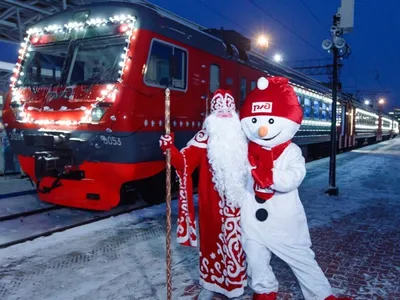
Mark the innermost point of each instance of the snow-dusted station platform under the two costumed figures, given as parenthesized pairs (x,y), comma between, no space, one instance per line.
(355,236)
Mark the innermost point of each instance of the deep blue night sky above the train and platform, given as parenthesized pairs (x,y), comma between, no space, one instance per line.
(299,28)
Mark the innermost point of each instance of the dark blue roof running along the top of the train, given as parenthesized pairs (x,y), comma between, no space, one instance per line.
(154,18)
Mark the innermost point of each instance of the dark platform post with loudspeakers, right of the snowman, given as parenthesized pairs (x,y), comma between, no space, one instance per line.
(339,48)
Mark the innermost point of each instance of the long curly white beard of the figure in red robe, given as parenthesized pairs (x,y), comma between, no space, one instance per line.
(227,150)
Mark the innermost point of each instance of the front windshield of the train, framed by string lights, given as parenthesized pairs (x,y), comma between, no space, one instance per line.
(75,62)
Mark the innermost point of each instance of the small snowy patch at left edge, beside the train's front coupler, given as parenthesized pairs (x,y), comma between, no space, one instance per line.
(14,186)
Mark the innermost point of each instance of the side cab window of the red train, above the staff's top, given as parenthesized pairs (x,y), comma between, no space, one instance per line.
(166,65)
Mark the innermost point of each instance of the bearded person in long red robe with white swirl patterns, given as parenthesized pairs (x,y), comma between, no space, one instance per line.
(220,151)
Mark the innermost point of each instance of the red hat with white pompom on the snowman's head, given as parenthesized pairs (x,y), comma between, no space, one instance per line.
(272,97)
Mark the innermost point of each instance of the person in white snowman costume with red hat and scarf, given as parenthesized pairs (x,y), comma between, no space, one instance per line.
(273,218)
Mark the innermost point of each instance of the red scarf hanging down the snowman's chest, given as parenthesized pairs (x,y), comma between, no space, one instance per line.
(263,160)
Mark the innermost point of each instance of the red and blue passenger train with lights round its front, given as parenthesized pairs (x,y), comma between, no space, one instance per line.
(86,104)
